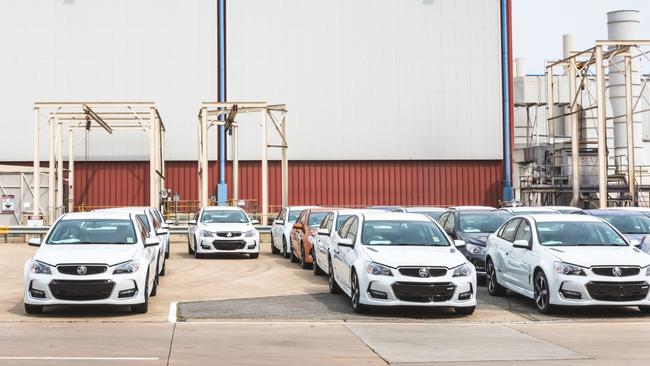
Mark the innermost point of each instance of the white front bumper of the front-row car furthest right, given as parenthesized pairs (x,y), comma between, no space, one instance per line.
(600,290)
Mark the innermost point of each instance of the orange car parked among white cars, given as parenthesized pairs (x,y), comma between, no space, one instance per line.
(304,231)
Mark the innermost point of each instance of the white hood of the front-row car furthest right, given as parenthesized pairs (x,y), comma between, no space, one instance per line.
(588,256)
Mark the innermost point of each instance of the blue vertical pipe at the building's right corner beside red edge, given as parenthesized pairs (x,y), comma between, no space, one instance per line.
(505,57)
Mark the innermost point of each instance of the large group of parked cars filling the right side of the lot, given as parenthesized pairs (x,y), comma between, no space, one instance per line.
(557,256)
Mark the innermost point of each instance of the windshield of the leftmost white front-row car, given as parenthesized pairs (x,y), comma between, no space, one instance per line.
(93,231)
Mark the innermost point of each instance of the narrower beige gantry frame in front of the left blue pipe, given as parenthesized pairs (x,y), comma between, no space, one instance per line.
(209,116)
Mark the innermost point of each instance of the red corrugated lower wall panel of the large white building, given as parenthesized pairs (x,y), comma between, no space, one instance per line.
(331,183)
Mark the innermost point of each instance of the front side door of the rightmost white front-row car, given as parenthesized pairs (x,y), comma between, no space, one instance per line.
(521,260)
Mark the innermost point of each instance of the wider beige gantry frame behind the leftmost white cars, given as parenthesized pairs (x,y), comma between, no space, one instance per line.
(108,116)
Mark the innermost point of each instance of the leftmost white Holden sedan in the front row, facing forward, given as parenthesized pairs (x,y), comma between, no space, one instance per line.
(93,258)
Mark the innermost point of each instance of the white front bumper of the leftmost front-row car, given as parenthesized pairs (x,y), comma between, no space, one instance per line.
(60,289)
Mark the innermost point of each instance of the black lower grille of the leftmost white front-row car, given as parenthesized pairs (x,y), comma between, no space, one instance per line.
(81,290)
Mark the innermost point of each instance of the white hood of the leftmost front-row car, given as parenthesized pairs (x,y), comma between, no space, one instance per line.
(110,254)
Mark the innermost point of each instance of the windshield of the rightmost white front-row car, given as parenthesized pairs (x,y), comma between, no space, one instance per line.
(578,234)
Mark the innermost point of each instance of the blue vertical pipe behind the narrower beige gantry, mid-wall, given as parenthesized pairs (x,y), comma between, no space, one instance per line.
(222,189)
